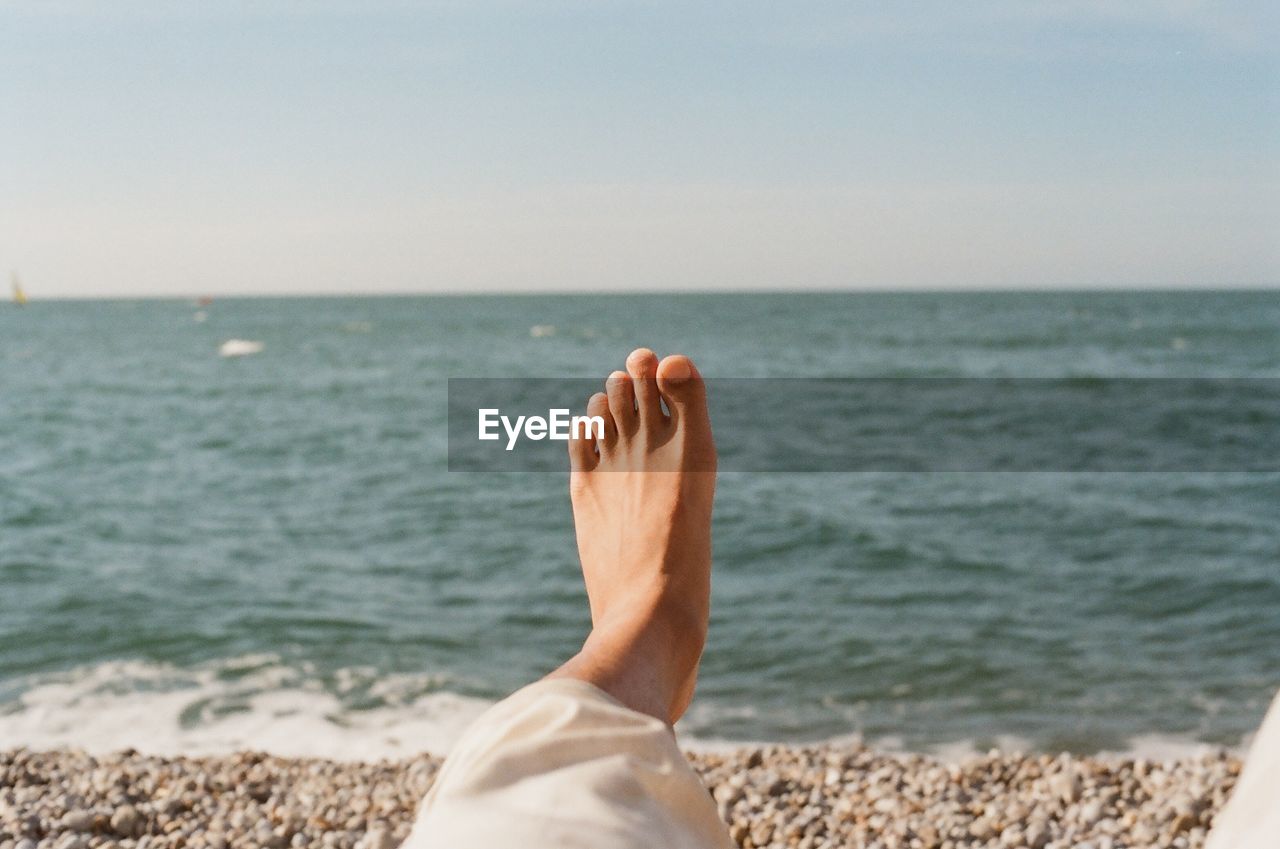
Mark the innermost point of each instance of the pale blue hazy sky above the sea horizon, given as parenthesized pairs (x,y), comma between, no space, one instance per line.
(217,148)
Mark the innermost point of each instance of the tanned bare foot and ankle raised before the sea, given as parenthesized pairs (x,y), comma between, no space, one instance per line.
(643,510)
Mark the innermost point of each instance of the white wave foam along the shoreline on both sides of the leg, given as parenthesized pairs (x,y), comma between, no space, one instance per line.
(258,702)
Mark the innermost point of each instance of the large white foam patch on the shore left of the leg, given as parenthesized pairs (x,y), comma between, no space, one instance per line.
(254,702)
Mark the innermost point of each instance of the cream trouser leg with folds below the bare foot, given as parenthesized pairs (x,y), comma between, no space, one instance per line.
(563,765)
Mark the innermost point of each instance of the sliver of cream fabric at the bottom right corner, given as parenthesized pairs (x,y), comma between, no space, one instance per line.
(1251,819)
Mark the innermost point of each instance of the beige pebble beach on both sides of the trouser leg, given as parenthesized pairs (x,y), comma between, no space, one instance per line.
(822,797)
